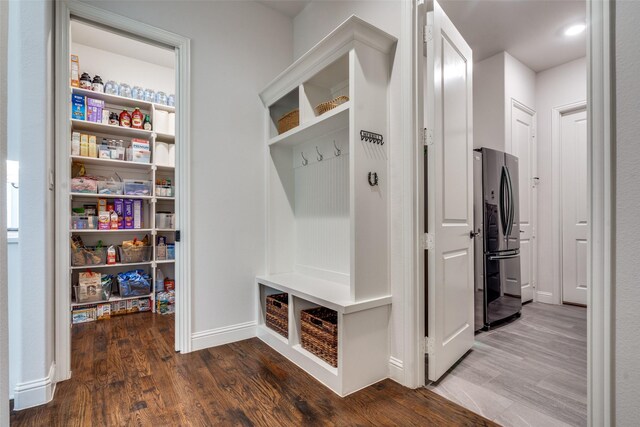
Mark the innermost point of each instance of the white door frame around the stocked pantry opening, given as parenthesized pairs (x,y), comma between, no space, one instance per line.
(64,11)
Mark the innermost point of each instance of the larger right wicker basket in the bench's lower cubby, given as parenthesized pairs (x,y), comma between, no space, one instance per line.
(320,333)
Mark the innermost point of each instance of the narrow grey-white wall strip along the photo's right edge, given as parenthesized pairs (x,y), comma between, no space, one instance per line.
(627,209)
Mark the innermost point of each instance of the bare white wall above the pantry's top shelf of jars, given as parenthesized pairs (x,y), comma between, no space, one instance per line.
(124,69)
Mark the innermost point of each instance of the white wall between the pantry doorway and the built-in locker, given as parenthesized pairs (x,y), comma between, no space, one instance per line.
(236,49)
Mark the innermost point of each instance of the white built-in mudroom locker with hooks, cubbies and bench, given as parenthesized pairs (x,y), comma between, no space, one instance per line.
(327,218)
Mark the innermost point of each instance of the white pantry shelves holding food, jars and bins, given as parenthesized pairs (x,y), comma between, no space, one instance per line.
(124,169)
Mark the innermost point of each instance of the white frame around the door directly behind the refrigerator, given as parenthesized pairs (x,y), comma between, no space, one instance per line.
(534,172)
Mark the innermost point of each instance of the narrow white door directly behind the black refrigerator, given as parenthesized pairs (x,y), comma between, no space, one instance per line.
(523,146)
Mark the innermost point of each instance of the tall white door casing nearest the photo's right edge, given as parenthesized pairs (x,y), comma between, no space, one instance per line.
(601,281)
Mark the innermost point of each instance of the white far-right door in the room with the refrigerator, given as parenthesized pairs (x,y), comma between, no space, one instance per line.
(574,207)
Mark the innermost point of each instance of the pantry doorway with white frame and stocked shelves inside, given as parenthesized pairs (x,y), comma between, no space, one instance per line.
(121,179)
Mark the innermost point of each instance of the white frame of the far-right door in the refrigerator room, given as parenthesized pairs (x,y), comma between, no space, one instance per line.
(556,192)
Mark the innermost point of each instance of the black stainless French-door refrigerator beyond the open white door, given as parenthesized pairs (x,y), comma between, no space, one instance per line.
(497,232)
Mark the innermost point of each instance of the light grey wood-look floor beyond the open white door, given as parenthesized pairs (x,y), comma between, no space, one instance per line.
(529,372)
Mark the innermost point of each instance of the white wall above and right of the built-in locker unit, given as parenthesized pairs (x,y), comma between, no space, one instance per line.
(310,26)
